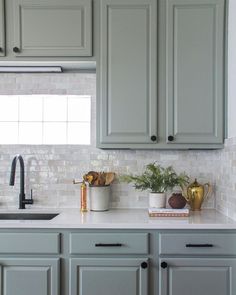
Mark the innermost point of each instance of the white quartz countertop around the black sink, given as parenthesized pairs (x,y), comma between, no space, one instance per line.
(120,219)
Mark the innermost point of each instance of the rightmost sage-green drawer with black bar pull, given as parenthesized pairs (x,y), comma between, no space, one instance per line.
(194,244)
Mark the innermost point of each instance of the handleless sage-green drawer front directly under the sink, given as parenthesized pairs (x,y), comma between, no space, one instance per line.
(30,243)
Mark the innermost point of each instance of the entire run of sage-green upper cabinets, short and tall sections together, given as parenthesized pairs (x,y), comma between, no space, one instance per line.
(160,63)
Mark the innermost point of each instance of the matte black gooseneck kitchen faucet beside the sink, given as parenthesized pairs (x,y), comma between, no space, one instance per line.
(22,200)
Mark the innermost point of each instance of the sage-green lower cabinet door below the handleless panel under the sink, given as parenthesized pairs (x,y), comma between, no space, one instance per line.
(29,276)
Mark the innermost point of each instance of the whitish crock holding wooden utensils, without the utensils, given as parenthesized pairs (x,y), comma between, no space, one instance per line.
(99,198)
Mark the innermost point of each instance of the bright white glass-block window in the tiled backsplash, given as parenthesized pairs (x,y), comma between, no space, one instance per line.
(45,119)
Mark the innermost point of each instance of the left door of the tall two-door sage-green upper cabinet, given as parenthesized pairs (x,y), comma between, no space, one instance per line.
(127,102)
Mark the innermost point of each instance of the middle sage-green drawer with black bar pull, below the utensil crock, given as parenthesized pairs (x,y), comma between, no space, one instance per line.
(109,243)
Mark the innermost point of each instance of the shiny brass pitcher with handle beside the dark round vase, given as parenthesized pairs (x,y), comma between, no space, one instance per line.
(196,193)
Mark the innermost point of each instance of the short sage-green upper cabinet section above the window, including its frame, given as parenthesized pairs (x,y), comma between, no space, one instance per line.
(47,30)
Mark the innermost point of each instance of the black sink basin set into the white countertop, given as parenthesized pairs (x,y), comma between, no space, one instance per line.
(27,216)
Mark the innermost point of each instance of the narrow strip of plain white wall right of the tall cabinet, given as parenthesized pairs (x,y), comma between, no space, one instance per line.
(232,70)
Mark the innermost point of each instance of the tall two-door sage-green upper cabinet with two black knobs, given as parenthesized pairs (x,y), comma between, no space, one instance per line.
(161,86)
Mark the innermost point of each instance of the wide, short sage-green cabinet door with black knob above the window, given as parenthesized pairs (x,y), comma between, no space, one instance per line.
(52,27)
